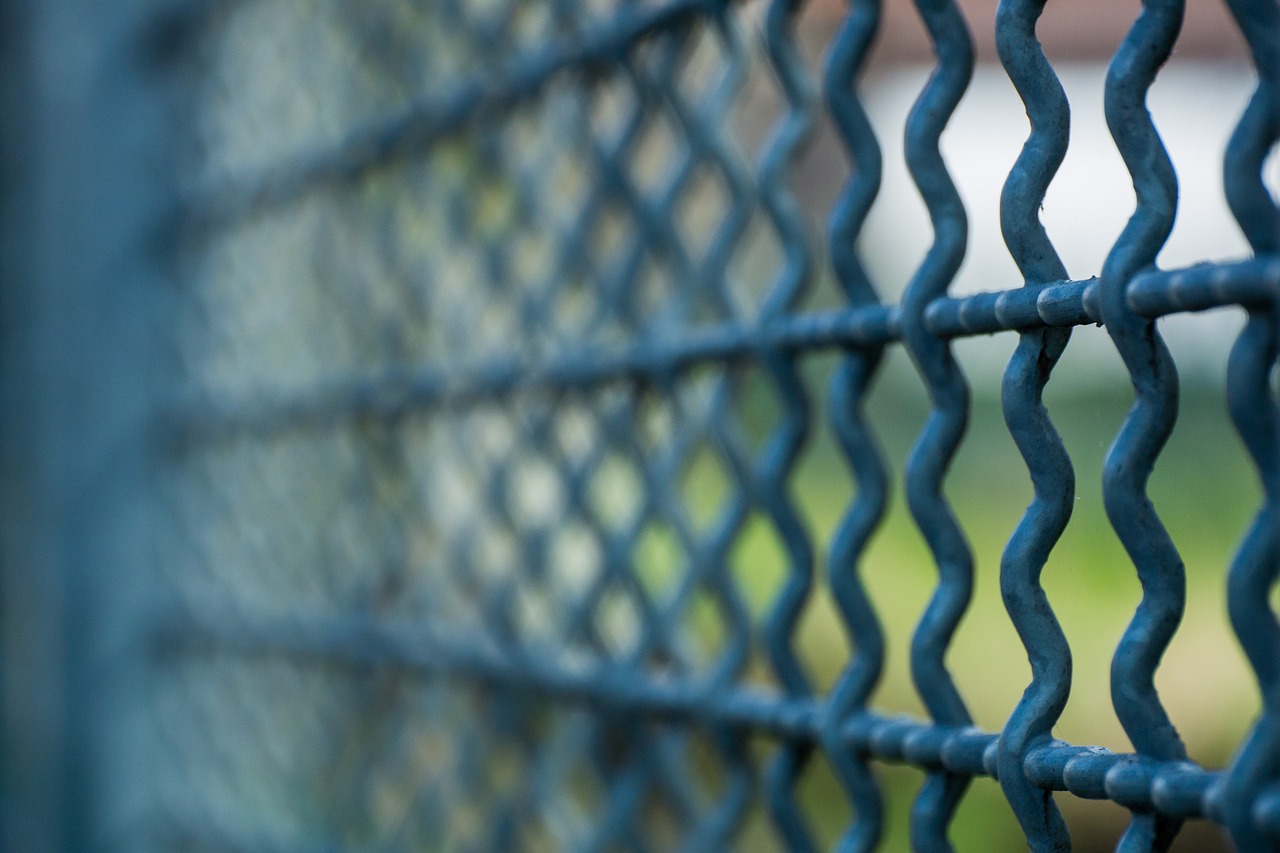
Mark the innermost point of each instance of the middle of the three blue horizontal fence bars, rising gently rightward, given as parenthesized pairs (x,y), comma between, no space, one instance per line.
(404,393)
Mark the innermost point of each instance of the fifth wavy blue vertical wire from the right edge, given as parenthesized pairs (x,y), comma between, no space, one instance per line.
(849,386)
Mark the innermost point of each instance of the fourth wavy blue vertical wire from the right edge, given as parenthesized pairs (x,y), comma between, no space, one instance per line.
(934,451)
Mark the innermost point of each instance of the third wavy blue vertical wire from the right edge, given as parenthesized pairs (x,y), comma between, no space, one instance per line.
(1054,481)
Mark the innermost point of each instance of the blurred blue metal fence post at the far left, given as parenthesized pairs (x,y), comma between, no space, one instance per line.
(85,186)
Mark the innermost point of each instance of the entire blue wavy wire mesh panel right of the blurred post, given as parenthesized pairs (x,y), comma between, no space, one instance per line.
(465,463)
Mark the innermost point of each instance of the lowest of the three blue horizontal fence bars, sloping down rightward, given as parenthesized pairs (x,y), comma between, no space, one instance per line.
(1180,790)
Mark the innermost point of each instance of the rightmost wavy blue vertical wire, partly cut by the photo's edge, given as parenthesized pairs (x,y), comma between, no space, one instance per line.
(1252,404)
